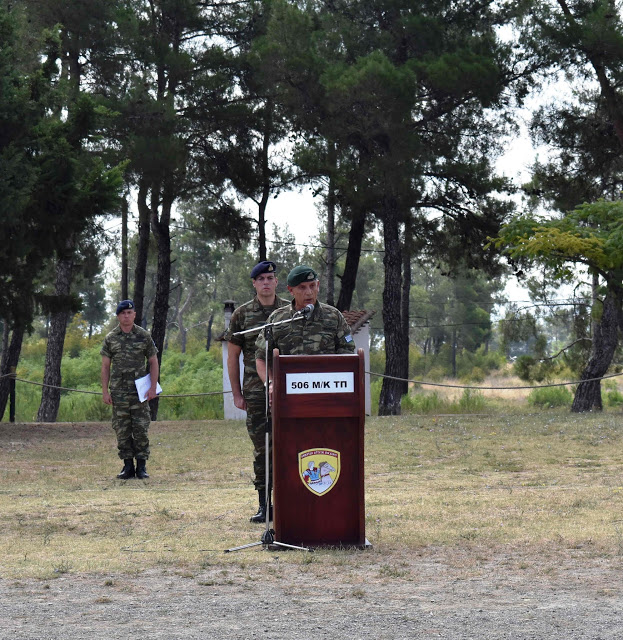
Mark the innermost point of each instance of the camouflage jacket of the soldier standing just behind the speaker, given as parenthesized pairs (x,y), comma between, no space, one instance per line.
(248,316)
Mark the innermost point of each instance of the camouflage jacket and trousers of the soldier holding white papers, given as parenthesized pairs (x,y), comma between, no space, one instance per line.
(129,353)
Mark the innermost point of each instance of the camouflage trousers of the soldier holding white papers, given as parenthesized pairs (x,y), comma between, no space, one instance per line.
(130,420)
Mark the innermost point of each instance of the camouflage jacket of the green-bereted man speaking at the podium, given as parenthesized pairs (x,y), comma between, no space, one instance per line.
(326,331)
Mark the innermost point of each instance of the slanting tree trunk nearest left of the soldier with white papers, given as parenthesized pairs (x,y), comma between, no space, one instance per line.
(51,395)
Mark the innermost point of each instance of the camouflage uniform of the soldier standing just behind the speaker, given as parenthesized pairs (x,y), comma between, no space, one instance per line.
(248,316)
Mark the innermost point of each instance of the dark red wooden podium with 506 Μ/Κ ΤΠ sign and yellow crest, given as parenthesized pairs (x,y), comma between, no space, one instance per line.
(318,431)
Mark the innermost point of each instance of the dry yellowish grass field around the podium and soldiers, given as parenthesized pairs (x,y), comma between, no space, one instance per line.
(535,481)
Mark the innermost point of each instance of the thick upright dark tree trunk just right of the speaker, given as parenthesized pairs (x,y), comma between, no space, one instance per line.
(391,391)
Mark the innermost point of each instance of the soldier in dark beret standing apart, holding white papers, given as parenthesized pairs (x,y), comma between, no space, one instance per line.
(128,347)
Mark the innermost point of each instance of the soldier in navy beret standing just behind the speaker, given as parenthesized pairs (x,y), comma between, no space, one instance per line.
(252,397)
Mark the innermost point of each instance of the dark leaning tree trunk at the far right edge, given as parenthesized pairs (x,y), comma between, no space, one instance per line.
(605,341)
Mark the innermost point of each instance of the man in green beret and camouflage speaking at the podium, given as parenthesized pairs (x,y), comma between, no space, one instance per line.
(323,331)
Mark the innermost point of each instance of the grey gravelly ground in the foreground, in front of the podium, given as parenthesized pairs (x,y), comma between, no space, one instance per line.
(378,596)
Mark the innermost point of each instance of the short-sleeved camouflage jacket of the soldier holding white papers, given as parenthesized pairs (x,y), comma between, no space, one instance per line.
(129,353)
